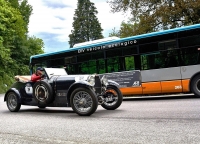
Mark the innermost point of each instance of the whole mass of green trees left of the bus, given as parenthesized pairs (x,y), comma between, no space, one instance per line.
(16,46)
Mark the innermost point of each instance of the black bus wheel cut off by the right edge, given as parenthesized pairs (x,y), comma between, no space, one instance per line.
(195,86)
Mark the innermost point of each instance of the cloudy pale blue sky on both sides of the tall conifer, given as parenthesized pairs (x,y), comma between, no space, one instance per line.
(51,21)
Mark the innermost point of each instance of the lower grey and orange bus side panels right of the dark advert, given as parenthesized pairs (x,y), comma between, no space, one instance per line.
(165,80)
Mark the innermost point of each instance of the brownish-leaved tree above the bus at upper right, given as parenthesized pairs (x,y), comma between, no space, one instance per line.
(154,15)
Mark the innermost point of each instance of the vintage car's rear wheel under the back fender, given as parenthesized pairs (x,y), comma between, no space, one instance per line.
(12,102)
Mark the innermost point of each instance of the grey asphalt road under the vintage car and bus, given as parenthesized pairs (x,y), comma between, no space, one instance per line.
(138,121)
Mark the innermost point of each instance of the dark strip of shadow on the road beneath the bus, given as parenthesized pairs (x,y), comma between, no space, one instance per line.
(163,97)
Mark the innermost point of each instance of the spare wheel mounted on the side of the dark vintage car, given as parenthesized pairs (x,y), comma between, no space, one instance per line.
(43,93)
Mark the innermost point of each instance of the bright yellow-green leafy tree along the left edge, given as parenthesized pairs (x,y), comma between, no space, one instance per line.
(11,22)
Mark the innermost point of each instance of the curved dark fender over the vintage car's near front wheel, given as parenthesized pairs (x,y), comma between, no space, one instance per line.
(77,84)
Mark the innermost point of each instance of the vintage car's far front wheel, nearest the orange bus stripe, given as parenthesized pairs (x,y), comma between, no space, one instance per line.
(115,96)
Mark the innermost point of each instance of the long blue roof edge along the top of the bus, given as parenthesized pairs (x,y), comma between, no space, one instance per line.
(137,37)
